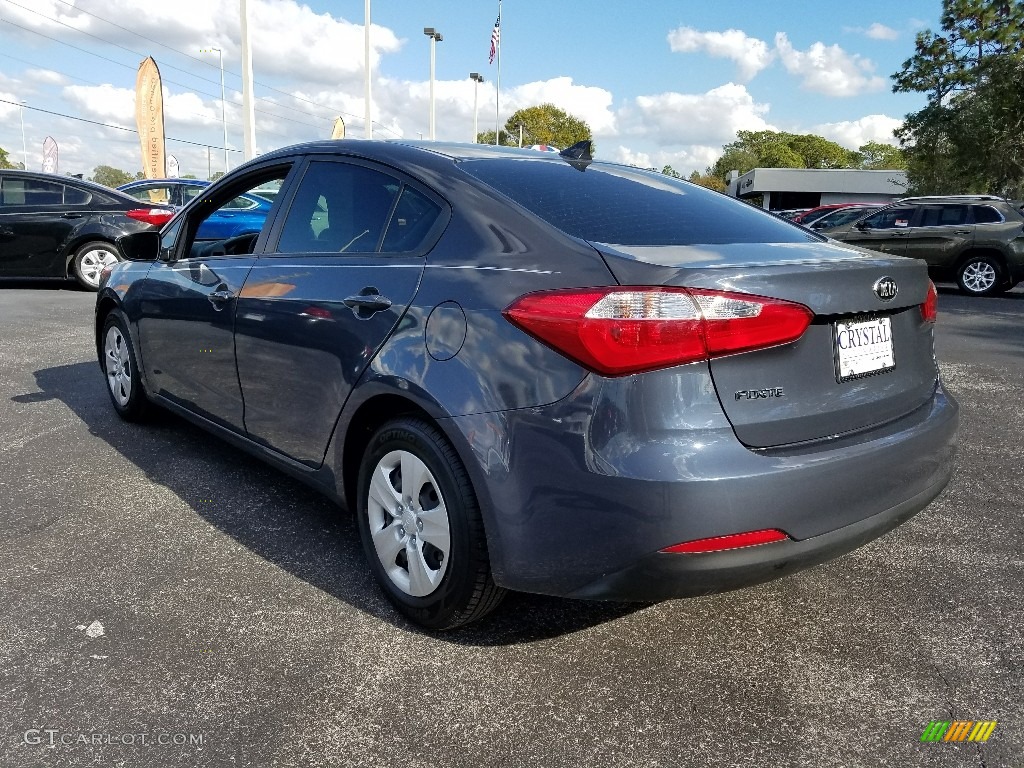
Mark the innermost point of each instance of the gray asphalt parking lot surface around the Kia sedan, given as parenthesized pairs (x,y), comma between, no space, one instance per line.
(170,602)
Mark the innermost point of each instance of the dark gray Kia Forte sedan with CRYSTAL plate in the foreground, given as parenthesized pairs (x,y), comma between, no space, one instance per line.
(537,372)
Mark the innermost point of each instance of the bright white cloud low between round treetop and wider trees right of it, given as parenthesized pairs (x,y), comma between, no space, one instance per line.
(701,119)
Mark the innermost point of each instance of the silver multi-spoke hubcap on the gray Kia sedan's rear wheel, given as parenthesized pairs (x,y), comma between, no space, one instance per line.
(409,524)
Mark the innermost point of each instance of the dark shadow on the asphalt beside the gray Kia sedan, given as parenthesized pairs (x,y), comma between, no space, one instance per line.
(282,521)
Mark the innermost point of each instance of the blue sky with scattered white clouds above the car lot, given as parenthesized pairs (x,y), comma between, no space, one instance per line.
(660,82)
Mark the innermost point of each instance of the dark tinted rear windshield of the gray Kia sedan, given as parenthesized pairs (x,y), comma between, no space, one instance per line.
(627,206)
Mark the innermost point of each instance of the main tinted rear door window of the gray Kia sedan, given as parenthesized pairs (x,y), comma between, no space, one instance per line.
(339,208)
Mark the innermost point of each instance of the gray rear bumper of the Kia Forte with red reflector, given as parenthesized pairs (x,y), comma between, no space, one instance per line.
(579,498)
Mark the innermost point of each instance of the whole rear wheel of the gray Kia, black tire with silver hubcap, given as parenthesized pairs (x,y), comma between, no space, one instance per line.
(425,547)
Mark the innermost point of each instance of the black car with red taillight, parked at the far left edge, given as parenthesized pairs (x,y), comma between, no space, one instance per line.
(61,227)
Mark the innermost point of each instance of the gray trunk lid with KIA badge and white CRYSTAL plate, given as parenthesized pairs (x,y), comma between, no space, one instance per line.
(813,389)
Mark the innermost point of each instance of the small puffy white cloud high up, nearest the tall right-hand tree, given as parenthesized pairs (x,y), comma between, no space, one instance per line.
(829,69)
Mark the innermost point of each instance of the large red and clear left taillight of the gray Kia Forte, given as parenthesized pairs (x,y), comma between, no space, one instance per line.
(617,331)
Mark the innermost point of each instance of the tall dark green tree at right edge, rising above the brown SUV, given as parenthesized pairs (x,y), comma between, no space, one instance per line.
(970,136)
